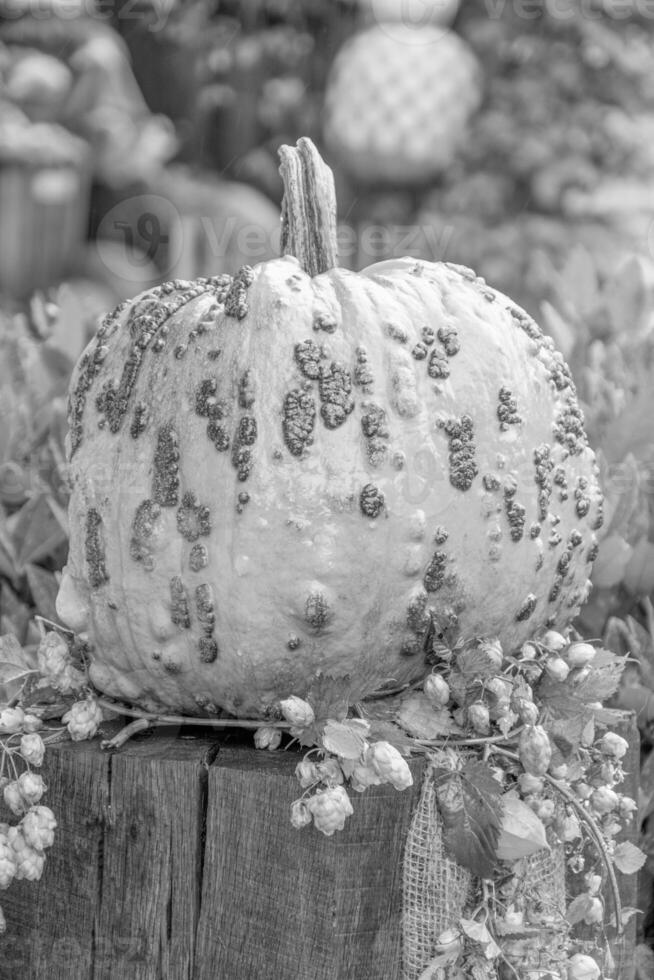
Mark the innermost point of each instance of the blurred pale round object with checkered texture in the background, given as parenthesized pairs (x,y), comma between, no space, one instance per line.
(398,103)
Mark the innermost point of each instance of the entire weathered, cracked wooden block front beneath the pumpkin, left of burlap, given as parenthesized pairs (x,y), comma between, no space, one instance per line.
(175,859)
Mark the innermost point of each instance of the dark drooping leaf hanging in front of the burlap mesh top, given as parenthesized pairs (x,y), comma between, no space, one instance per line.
(471,811)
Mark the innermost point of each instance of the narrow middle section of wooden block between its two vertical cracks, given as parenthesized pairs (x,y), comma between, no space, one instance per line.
(150,893)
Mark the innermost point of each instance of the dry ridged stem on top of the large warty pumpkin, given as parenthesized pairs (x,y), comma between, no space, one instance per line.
(308,207)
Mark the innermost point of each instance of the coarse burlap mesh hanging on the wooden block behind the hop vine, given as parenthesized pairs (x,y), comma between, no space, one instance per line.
(437,892)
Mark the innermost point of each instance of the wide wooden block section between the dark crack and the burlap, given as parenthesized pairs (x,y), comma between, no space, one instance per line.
(293,904)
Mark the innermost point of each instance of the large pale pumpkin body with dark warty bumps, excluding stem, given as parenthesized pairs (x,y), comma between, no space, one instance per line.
(305,473)
